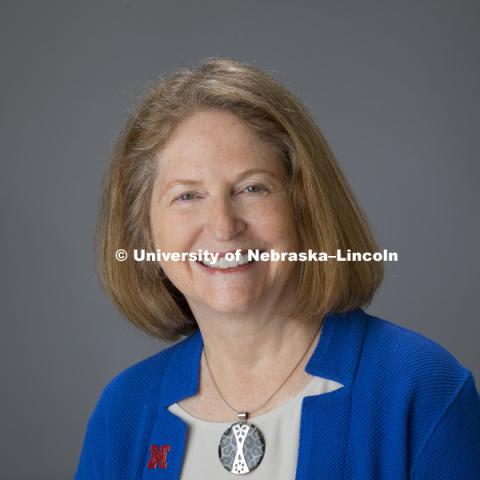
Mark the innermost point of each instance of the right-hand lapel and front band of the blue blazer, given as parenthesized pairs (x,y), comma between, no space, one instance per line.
(325,418)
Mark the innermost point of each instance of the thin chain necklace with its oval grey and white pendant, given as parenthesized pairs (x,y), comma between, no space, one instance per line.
(242,445)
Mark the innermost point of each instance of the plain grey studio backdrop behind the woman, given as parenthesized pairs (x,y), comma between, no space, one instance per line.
(393,86)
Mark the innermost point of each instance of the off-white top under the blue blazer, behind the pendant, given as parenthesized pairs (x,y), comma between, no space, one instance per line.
(280,428)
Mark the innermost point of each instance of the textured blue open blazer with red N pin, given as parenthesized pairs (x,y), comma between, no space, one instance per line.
(407,409)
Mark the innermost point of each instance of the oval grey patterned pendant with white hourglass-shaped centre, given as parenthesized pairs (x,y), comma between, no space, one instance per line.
(241,448)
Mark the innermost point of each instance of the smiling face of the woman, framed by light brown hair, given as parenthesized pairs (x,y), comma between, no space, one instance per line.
(220,188)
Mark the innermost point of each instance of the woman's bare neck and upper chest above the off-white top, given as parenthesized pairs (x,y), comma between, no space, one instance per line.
(249,364)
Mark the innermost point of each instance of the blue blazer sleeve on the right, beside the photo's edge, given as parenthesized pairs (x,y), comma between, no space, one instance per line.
(452,448)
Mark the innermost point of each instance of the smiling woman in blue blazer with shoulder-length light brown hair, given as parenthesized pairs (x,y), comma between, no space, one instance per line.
(282,375)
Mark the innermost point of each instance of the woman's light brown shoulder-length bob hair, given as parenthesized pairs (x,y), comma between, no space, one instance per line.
(327,215)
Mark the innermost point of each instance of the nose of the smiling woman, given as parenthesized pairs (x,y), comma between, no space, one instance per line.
(224,222)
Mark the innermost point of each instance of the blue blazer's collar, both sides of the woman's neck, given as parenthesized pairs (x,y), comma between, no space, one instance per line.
(335,357)
